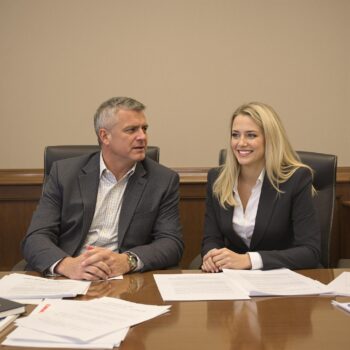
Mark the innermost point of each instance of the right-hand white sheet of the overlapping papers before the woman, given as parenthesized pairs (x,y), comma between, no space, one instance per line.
(280,282)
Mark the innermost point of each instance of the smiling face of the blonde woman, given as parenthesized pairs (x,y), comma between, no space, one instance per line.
(247,142)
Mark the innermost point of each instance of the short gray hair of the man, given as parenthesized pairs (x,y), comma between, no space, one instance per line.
(104,116)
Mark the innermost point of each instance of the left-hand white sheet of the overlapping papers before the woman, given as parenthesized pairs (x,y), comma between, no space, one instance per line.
(206,286)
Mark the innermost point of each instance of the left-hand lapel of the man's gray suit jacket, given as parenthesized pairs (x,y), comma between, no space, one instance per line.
(88,182)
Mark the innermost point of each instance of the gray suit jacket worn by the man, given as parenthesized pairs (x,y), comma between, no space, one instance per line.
(149,224)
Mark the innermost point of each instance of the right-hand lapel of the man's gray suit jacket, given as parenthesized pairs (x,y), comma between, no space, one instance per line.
(131,198)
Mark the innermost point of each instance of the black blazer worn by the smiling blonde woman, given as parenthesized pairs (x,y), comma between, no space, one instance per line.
(286,232)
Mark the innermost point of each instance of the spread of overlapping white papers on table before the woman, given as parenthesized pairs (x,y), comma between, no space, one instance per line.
(236,285)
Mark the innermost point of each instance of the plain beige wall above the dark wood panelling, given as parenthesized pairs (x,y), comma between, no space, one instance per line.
(192,62)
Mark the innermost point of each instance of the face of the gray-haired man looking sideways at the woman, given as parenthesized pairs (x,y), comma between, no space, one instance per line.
(127,138)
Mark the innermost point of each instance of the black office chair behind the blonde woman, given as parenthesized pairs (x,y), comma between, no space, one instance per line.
(324,166)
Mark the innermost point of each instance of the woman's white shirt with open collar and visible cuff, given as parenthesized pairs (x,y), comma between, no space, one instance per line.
(244,221)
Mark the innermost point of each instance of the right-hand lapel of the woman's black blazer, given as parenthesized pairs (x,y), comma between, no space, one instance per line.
(266,206)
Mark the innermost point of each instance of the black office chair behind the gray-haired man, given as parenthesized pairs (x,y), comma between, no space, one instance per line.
(54,153)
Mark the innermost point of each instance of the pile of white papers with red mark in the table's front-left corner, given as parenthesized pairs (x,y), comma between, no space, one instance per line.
(99,323)
